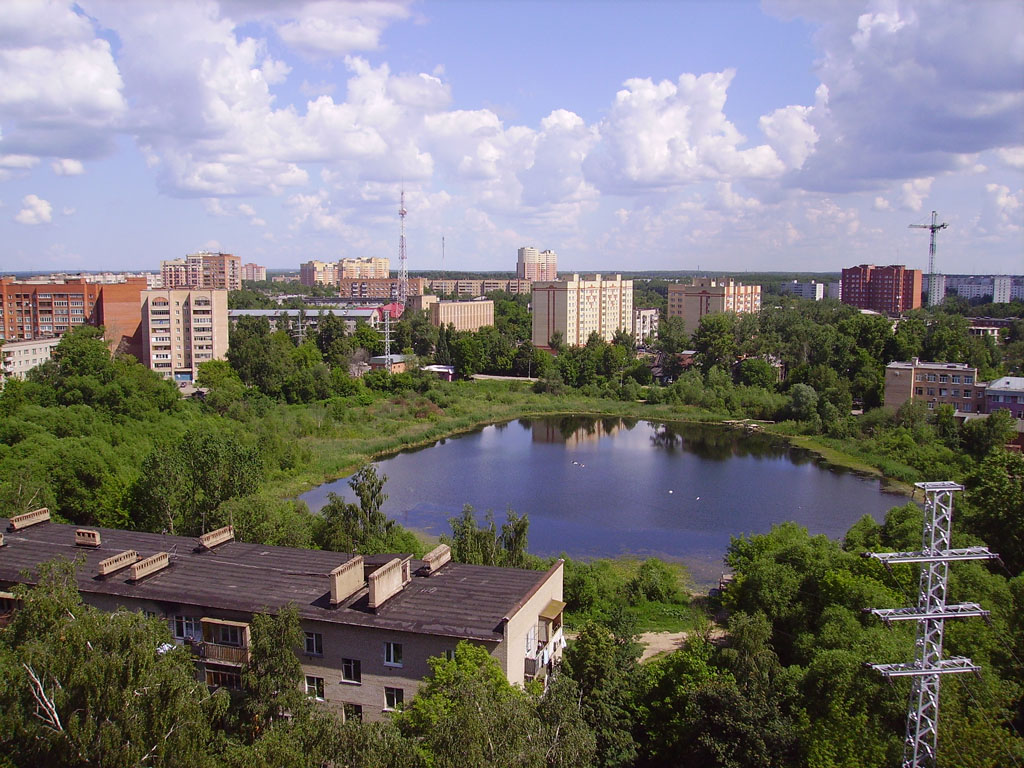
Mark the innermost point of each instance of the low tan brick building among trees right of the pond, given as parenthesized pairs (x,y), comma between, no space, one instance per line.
(935,383)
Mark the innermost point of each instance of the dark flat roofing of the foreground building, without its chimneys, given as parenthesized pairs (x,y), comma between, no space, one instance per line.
(459,601)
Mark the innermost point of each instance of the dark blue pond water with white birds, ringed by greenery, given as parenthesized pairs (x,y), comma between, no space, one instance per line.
(603,488)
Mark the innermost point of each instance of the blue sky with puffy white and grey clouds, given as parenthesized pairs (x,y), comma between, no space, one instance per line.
(791,136)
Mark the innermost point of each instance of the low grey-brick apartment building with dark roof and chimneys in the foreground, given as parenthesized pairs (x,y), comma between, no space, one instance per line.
(369,623)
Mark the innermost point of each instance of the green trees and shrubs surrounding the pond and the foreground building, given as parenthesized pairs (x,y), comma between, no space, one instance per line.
(102,441)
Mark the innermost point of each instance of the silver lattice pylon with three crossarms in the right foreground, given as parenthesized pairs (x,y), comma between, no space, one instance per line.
(922,742)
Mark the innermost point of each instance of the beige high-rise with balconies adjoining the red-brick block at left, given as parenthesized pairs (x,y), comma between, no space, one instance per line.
(183,329)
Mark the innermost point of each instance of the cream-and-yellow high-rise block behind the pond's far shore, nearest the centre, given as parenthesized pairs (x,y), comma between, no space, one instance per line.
(578,307)
